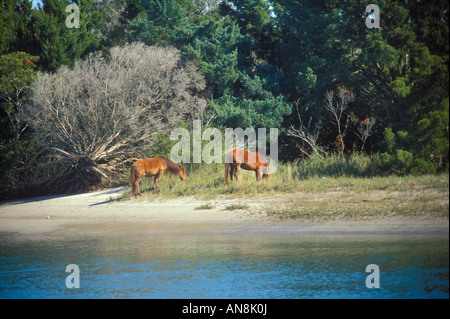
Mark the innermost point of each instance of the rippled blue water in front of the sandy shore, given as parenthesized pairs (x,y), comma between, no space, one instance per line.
(226,266)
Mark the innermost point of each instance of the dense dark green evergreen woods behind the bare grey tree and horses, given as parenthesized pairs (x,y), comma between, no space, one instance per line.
(312,68)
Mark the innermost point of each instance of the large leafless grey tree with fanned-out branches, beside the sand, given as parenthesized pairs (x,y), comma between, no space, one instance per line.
(90,120)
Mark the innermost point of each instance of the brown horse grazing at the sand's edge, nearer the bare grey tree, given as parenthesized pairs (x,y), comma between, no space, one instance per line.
(155,166)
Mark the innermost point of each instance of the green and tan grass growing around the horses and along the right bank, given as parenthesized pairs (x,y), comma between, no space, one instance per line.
(345,194)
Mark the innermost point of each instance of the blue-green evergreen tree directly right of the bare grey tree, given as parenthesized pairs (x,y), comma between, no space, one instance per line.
(238,96)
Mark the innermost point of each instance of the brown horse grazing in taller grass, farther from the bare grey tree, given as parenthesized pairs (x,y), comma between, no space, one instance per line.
(251,161)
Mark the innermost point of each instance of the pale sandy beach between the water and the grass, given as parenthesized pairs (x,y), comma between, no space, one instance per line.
(100,212)
